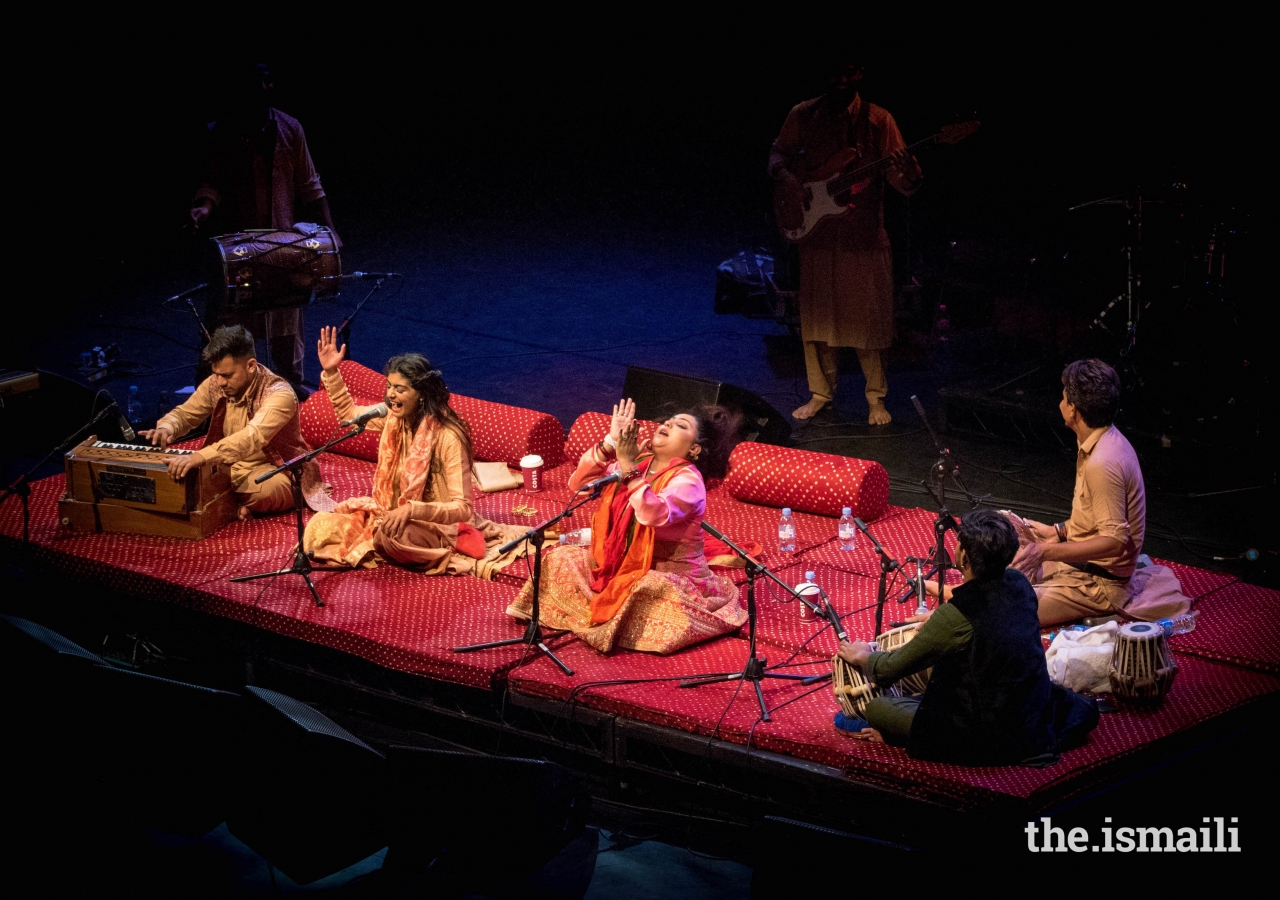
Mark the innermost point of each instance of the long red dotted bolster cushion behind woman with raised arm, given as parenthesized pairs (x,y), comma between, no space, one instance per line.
(500,433)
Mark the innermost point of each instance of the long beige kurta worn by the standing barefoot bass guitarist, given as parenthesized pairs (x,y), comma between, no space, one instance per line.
(847,268)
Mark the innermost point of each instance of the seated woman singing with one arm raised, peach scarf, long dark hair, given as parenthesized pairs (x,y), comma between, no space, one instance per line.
(420,511)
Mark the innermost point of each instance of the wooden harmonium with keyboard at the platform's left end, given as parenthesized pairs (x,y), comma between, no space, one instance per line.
(127,488)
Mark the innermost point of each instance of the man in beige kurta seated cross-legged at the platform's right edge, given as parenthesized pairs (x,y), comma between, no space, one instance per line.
(1091,565)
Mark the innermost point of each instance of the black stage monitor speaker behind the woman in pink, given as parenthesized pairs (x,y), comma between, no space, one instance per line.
(661,395)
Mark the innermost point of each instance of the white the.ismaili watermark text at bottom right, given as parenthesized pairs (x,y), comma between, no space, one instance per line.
(1214,837)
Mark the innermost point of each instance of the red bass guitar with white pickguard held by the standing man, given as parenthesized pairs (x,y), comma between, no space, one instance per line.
(838,181)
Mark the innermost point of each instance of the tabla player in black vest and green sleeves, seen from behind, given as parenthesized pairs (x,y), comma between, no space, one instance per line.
(990,700)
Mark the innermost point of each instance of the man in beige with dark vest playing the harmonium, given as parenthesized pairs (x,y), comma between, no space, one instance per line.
(254,428)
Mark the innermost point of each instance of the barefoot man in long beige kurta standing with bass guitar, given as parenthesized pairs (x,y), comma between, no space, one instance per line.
(847,268)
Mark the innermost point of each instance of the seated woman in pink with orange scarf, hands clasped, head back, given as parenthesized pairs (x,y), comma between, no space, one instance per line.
(644,583)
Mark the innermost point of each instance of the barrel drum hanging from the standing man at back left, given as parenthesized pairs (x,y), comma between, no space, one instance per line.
(268,271)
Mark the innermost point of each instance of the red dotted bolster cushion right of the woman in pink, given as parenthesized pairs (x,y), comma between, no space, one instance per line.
(808,482)
